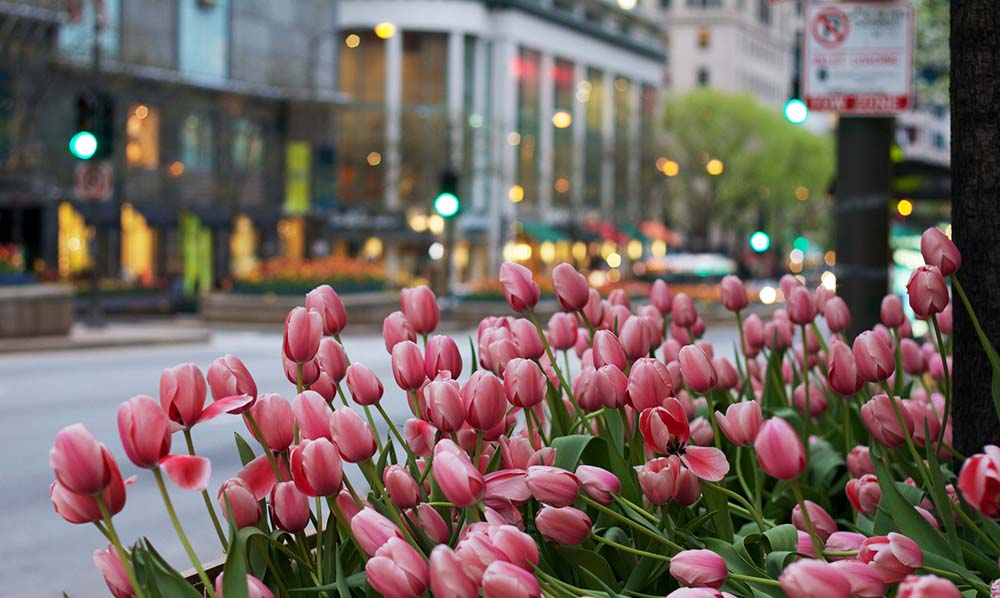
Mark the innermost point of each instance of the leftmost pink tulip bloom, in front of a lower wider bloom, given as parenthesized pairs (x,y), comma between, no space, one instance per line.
(79,461)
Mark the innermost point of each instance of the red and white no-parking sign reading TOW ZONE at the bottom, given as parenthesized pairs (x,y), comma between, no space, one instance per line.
(857,57)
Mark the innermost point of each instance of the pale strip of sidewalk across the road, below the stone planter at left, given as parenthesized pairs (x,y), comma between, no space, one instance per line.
(115,334)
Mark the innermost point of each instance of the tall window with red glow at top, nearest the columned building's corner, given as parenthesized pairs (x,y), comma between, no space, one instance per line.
(527,72)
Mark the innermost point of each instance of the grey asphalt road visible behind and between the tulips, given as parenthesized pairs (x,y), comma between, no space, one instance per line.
(40,553)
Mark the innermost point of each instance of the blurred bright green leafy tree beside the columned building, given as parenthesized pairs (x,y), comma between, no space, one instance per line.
(766,160)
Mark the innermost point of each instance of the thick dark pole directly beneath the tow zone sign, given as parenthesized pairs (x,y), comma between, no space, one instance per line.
(864,173)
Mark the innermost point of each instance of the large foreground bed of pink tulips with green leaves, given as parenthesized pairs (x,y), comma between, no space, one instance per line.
(641,463)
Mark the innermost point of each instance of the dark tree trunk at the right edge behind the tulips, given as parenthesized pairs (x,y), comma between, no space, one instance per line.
(975,211)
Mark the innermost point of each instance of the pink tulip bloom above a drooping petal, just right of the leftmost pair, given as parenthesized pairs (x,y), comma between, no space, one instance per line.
(144,430)
